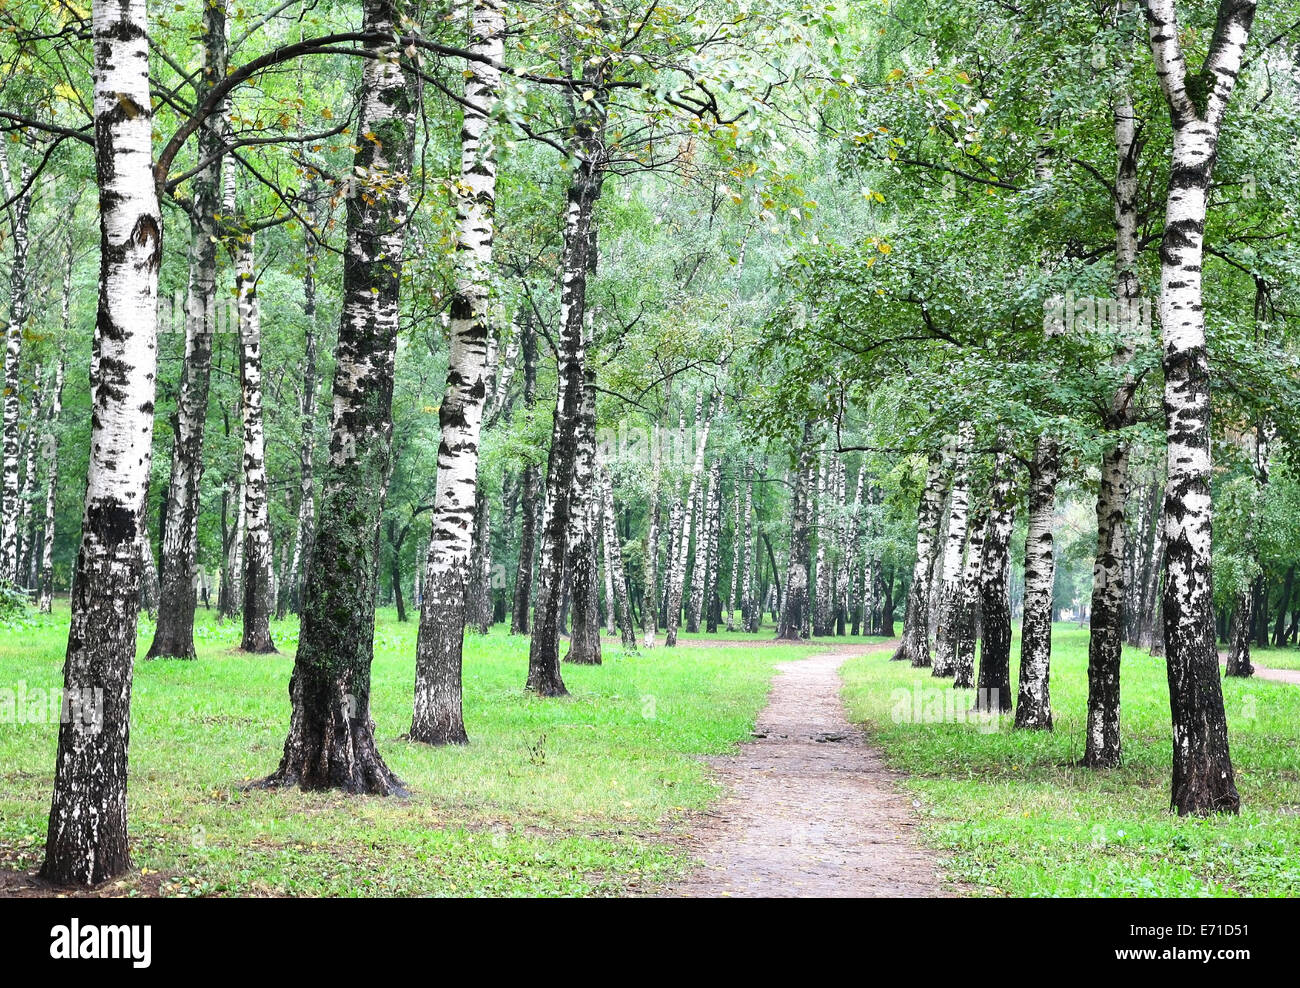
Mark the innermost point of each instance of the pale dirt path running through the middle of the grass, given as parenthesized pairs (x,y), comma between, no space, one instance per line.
(813,811)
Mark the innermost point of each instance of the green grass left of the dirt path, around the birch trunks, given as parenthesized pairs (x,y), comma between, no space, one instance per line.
(552,798)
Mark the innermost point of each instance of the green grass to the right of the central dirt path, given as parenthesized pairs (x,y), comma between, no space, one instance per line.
(1016,816)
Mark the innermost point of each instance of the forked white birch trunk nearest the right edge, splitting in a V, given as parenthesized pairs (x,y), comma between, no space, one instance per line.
(1203,779)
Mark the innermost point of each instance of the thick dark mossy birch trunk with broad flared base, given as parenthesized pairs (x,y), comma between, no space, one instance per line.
(331,743)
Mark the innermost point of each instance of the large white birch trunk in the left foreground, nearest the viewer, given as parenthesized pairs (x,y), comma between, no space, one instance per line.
(88,839)
